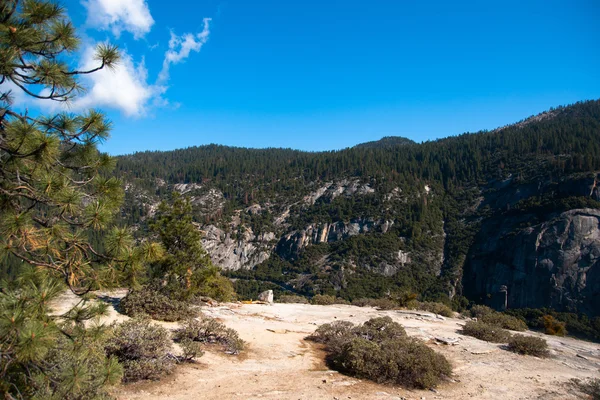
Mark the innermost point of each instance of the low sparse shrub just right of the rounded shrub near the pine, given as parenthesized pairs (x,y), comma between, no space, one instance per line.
(209,331)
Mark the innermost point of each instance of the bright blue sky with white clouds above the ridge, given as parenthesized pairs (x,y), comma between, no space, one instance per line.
(320,75)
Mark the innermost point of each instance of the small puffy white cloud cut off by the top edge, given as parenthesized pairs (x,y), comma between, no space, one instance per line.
(120,15)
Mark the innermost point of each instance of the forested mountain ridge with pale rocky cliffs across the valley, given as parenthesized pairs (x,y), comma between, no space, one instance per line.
(465,215)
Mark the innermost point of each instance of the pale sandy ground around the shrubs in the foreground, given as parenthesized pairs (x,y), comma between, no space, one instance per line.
(280,364)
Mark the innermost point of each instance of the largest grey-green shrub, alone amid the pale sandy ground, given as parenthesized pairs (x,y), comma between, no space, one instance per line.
(380,350)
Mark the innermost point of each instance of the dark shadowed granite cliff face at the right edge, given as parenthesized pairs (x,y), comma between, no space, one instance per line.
(552,264)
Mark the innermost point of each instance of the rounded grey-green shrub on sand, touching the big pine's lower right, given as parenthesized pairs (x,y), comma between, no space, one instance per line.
(144,349)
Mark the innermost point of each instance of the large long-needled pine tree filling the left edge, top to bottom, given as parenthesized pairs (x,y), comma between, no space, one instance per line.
(55,194)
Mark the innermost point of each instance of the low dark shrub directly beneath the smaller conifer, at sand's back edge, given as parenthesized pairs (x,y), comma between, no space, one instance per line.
(150,302)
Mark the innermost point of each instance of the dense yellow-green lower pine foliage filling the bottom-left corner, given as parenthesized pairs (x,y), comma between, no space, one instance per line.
(47,357)
